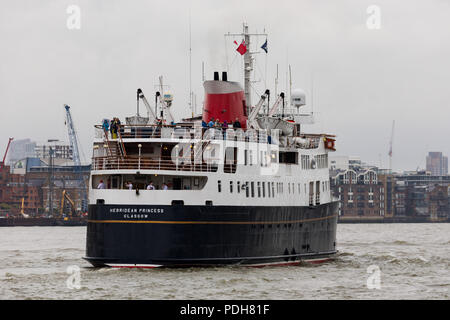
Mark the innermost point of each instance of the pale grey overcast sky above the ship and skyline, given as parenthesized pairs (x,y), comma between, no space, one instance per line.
(363,78)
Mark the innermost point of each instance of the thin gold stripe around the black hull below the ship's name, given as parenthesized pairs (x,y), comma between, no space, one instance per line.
(211,222)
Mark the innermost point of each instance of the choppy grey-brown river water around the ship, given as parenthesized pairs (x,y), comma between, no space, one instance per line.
(413,262)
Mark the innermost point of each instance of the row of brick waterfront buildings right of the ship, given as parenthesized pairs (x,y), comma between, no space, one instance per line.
(373,194)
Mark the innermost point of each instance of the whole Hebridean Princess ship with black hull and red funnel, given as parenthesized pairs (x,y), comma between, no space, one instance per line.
(241,184)
